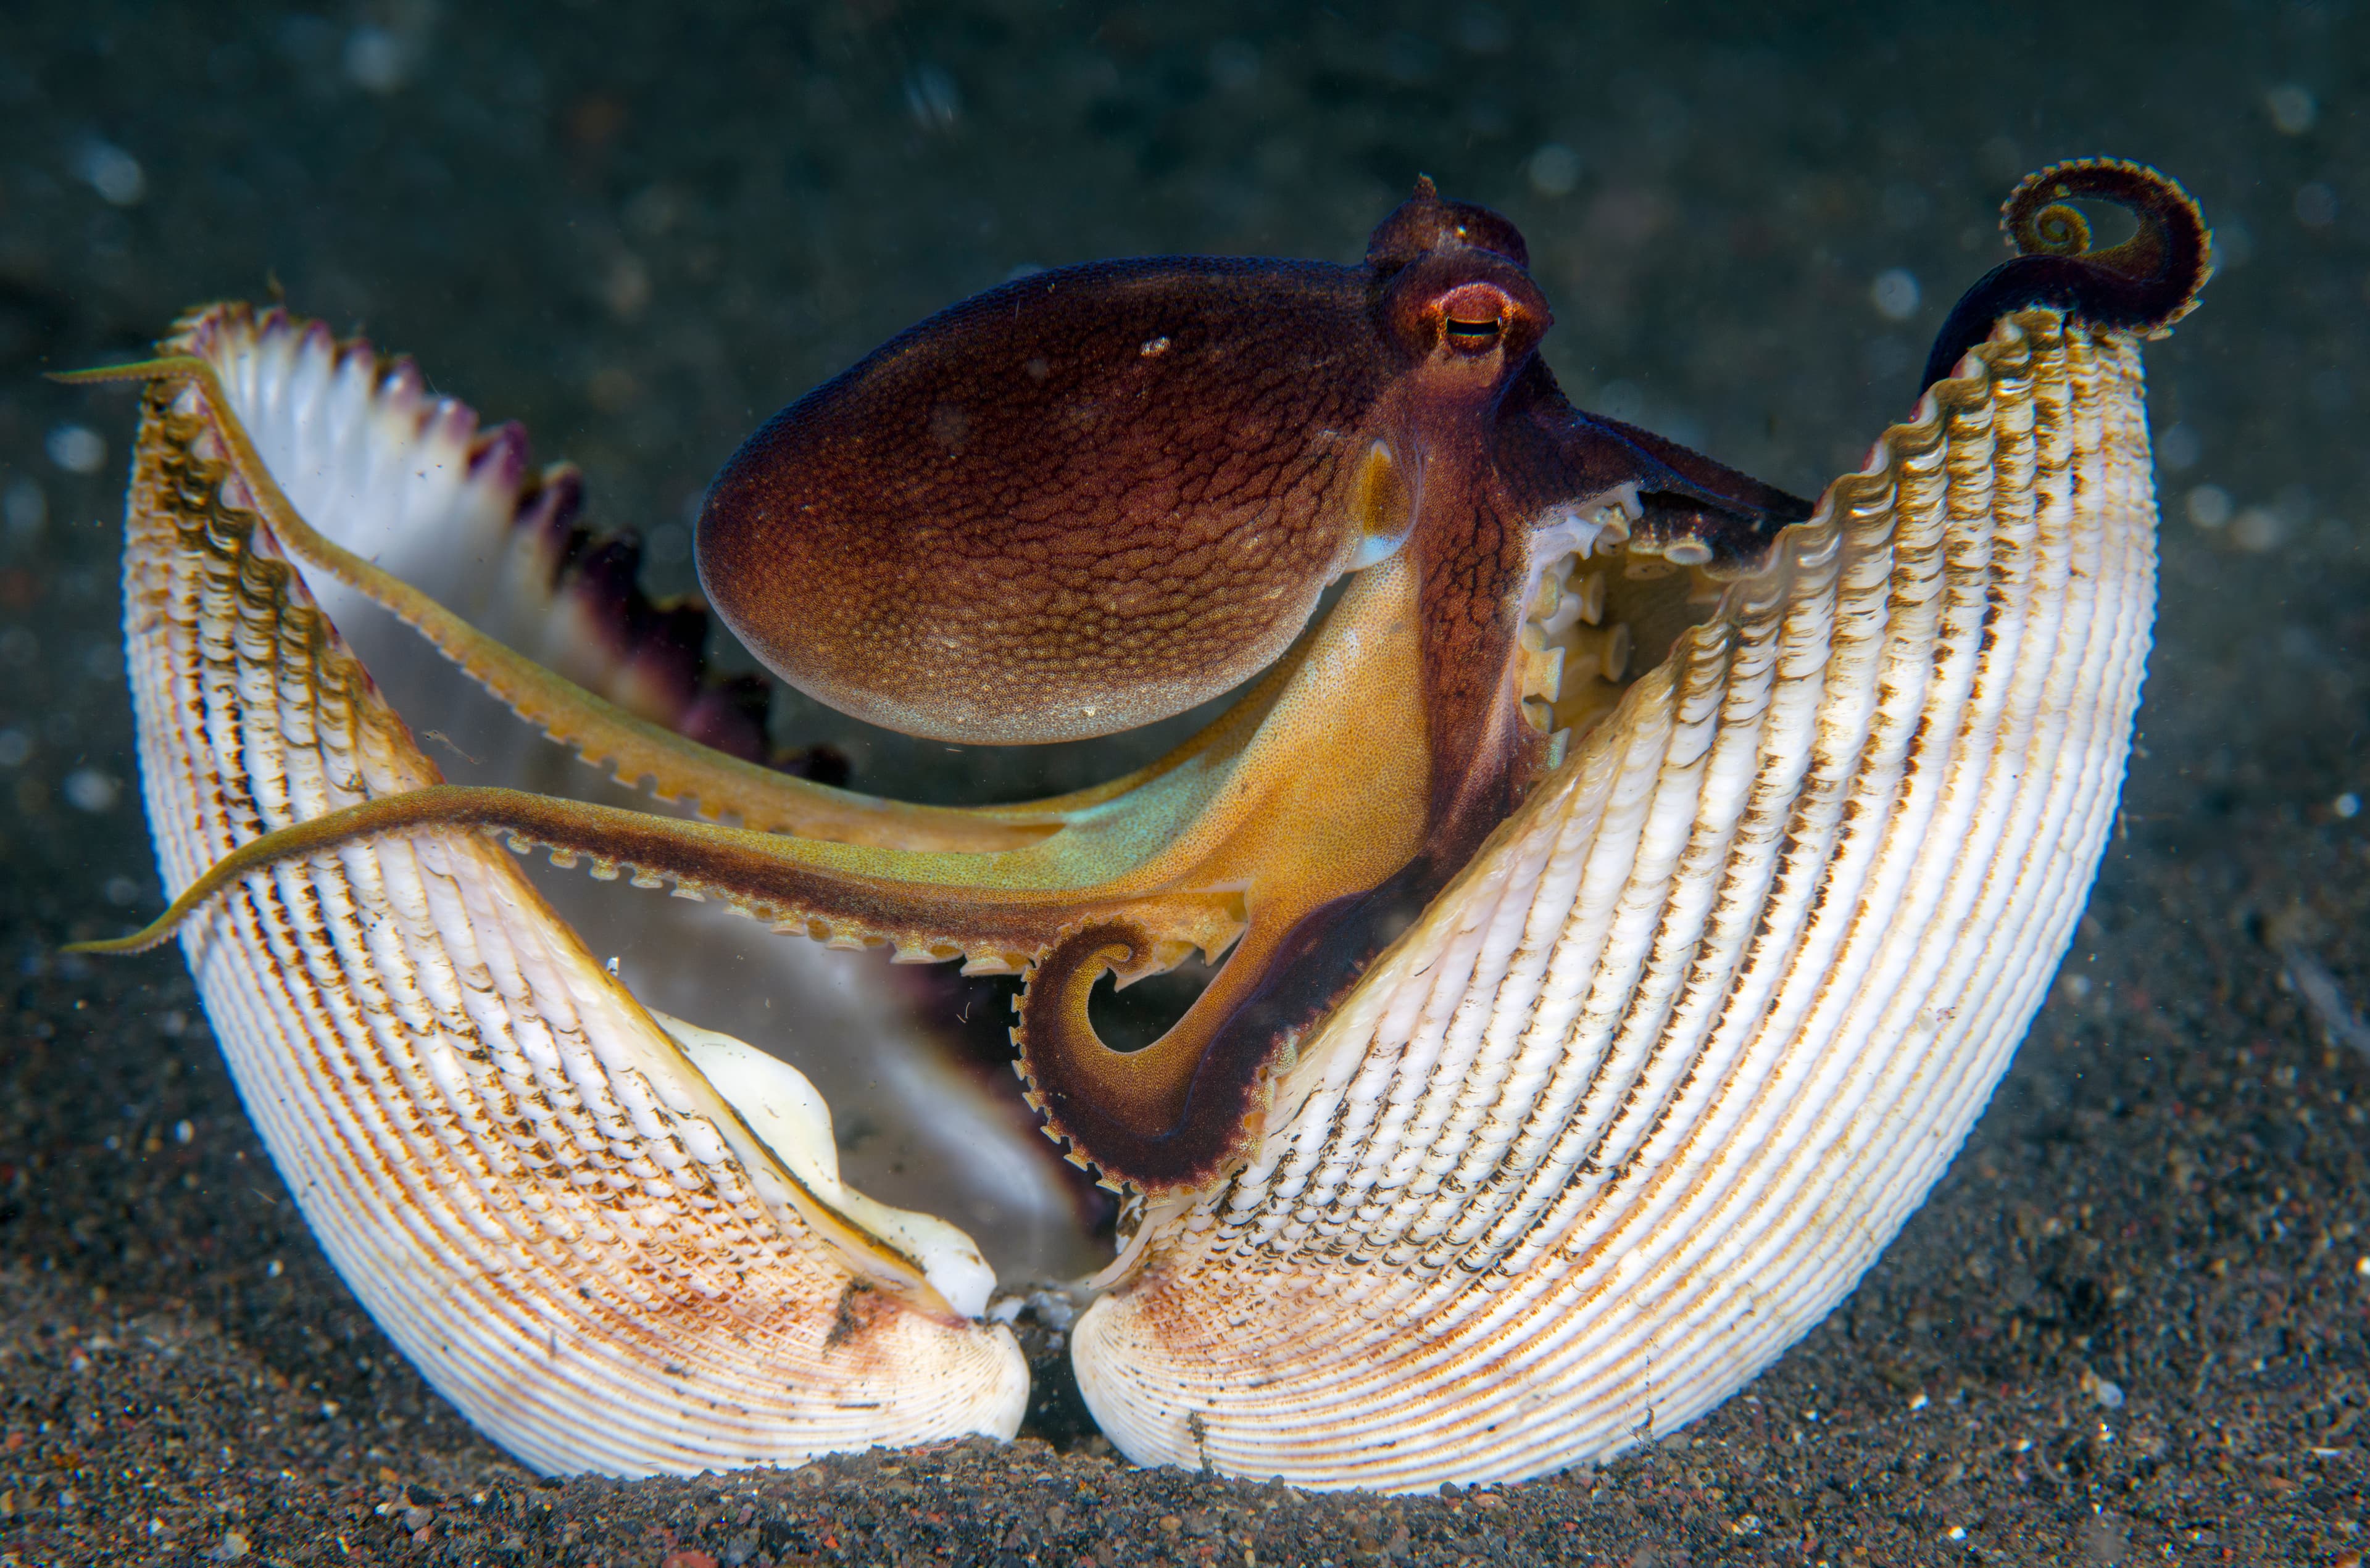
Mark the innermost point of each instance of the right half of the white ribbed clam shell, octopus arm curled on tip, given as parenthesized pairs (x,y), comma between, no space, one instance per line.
(1667,1067)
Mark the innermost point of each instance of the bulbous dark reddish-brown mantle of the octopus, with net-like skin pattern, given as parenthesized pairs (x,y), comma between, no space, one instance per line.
(1065,508)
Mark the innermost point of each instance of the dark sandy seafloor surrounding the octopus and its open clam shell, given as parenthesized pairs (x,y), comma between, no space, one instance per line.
(2129,1325)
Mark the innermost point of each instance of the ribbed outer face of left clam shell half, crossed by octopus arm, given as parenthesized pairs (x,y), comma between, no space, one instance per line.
(527,1181)
